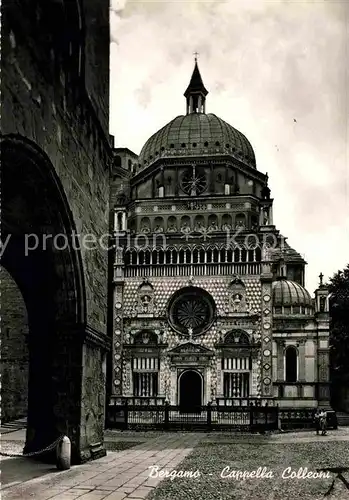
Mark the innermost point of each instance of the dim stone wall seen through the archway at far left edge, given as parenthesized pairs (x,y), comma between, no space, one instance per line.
(14,350)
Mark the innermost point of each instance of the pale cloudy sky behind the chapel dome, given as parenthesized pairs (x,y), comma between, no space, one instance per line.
(265,64)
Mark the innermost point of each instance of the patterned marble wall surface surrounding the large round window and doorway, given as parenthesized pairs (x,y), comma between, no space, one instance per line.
(163,289)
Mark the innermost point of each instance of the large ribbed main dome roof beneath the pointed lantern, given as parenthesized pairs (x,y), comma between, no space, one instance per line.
(196,134)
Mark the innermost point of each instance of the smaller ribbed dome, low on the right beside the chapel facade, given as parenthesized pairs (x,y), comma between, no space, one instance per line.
(289,294)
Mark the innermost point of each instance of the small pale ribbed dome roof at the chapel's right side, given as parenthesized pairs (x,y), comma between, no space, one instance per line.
(290,293)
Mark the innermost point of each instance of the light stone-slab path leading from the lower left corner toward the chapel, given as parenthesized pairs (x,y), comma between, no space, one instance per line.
(118,476)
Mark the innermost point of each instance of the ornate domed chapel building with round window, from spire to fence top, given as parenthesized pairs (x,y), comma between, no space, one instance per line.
(209,303)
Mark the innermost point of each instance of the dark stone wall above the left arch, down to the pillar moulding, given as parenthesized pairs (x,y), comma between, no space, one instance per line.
(45,99)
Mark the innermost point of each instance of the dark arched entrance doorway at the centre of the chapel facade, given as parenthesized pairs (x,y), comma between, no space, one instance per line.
(190,391)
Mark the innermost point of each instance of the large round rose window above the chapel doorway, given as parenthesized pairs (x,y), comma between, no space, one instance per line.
(191,311)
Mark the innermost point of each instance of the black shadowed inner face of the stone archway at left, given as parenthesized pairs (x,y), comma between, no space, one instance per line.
(39,252)
